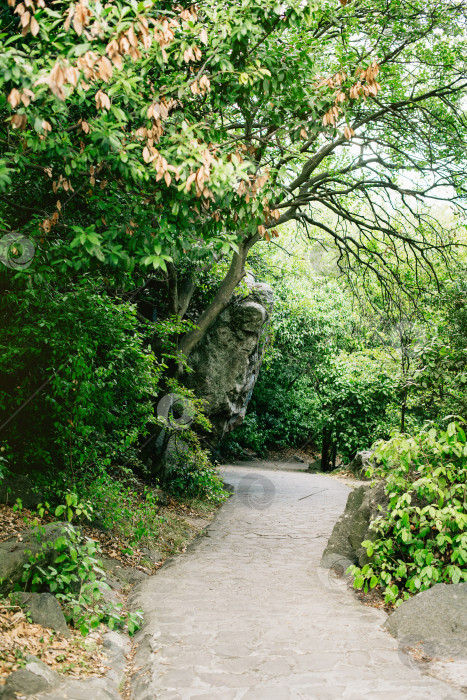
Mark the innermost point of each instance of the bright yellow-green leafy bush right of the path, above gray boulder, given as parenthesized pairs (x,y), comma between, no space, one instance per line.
(422,538)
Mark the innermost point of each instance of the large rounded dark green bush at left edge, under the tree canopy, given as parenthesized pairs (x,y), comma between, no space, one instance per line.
(77,369)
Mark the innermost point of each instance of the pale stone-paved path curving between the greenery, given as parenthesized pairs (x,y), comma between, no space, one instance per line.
(246,614)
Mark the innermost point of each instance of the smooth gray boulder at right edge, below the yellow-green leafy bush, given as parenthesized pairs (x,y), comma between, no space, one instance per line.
(435,620)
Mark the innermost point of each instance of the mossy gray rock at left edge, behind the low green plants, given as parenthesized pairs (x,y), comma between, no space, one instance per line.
(15,553)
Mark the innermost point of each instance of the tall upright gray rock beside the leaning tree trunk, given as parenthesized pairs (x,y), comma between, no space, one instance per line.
(227,361)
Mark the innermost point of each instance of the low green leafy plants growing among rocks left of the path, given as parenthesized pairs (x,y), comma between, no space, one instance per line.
(78,582)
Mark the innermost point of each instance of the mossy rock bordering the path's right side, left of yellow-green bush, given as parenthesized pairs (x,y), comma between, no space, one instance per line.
(344,545)
